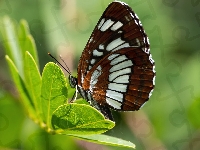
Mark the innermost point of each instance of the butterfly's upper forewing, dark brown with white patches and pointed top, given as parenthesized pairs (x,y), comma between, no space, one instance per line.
(119,27)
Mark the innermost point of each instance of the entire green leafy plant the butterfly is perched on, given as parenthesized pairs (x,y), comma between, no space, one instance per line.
(45,97)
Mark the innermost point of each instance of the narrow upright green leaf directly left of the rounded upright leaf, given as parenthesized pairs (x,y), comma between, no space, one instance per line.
(33,81)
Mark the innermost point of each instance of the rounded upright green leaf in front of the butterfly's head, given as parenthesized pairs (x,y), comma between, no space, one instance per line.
(53,91)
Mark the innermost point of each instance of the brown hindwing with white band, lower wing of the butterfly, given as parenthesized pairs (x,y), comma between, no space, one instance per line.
(123,80)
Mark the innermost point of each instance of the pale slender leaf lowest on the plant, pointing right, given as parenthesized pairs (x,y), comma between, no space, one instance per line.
(105,139)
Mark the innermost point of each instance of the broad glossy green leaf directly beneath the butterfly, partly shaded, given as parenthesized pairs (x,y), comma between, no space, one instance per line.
(80,119)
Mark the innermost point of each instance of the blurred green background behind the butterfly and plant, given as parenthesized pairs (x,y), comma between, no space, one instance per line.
(170,120)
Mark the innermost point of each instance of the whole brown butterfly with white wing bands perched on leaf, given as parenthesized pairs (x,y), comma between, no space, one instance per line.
(116,69)
